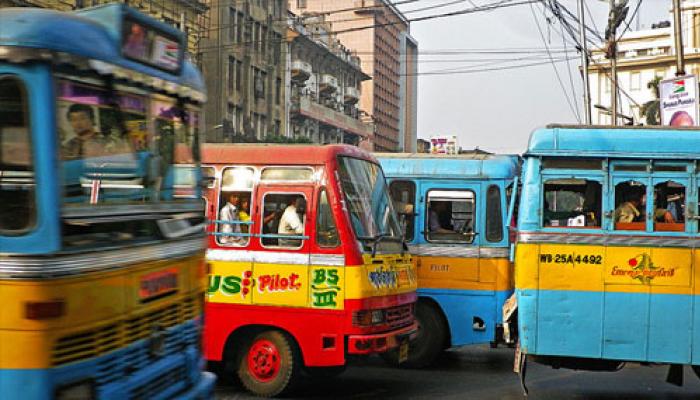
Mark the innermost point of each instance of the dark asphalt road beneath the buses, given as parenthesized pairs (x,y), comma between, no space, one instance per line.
(478,372)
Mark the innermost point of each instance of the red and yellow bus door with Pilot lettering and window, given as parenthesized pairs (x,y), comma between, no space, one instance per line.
(283,219)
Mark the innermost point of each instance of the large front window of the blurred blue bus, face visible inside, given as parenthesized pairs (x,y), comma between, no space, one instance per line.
(123,148)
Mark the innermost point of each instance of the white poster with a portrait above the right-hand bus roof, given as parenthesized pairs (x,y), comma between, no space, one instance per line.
(679,101)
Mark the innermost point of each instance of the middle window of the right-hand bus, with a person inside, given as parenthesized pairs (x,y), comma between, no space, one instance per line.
(630,206)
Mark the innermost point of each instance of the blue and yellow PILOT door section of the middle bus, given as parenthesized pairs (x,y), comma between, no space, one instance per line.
(449,265)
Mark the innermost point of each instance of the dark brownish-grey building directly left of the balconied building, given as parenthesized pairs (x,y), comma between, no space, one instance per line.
(243,62)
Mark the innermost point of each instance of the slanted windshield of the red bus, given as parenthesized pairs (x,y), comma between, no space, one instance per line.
(367,195)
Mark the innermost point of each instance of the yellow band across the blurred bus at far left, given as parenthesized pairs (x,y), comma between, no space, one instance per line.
(91,302)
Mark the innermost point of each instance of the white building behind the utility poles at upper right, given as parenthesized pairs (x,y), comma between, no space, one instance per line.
(642,57)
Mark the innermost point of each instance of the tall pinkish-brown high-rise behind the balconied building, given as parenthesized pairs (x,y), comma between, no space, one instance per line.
(380,34)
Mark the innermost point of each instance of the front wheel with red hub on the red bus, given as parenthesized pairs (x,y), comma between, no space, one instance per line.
(267,366)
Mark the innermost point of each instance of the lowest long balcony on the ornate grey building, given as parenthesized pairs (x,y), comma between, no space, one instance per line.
(305,107)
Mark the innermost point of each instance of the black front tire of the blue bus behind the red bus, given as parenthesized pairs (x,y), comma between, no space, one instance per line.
(429,342)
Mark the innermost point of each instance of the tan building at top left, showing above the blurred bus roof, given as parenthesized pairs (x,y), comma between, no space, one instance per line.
(190,16)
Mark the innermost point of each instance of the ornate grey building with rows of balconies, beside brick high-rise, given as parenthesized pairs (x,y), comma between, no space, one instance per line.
(324,85)
